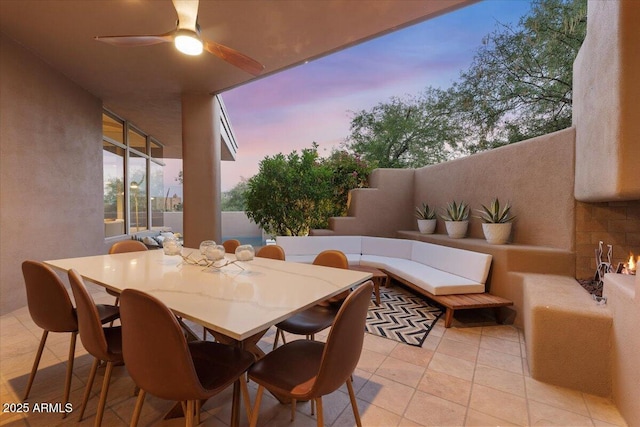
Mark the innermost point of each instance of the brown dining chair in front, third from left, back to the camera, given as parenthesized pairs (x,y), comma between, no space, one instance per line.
(162,362)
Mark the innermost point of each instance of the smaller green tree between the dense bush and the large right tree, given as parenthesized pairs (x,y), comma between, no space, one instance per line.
(402,133)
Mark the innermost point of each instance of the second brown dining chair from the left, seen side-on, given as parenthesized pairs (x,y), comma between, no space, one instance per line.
(104,344)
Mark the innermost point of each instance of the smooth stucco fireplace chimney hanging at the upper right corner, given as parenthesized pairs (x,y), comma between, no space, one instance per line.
(606,90)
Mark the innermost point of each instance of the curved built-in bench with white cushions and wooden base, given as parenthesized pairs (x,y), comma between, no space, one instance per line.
(438,272)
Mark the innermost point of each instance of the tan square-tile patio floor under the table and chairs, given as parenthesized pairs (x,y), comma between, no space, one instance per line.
(471,376)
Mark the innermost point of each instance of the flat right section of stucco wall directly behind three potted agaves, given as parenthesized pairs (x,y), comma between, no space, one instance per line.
(536,176)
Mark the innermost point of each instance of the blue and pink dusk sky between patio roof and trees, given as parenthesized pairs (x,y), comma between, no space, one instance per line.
(316,101)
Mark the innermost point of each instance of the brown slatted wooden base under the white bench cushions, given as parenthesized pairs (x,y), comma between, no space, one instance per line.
(459,301)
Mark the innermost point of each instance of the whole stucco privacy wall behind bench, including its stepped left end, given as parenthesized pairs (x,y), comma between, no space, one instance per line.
(536,176)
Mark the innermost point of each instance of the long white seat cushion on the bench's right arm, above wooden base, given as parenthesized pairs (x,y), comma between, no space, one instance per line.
(432,280)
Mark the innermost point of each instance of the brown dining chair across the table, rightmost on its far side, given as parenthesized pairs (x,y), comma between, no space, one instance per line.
(319,317)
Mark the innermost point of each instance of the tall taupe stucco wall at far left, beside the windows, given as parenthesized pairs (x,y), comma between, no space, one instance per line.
(50,166)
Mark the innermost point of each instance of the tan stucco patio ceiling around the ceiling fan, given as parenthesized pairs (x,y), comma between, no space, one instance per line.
(144,84)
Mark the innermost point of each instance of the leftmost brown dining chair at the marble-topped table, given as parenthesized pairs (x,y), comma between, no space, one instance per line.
(51,309)
